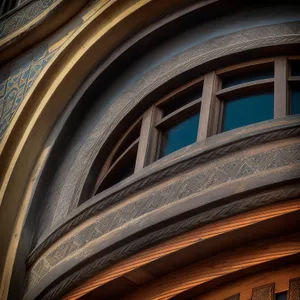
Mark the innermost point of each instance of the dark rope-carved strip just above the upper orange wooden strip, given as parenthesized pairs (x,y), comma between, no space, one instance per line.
(169,231)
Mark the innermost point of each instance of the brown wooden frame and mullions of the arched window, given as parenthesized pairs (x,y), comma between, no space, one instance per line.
(210,107)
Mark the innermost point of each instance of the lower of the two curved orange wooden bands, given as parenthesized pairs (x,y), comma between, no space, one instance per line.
(224,264)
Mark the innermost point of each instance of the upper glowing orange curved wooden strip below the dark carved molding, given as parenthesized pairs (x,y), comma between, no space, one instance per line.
(181,242)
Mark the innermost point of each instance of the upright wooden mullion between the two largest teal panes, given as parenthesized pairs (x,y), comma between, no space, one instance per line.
(209,107)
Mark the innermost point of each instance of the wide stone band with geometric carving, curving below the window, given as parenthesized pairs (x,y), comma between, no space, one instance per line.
(247,165)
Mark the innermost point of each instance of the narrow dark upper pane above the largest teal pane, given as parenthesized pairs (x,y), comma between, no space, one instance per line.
(247,77)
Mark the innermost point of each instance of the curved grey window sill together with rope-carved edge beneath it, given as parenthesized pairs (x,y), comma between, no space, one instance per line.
(170,166)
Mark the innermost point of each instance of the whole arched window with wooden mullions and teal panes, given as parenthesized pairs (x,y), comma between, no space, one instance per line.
(219,101)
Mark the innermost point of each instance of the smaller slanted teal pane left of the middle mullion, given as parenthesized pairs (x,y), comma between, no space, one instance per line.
(181,135)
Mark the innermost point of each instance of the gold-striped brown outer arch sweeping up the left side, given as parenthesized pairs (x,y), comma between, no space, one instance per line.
(25,136)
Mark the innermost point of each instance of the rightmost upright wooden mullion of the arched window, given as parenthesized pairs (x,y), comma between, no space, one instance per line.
(280,87)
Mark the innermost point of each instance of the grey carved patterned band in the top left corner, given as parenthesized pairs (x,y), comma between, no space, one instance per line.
(22,17)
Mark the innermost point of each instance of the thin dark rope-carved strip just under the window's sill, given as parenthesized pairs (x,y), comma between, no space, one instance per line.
(158,176)
